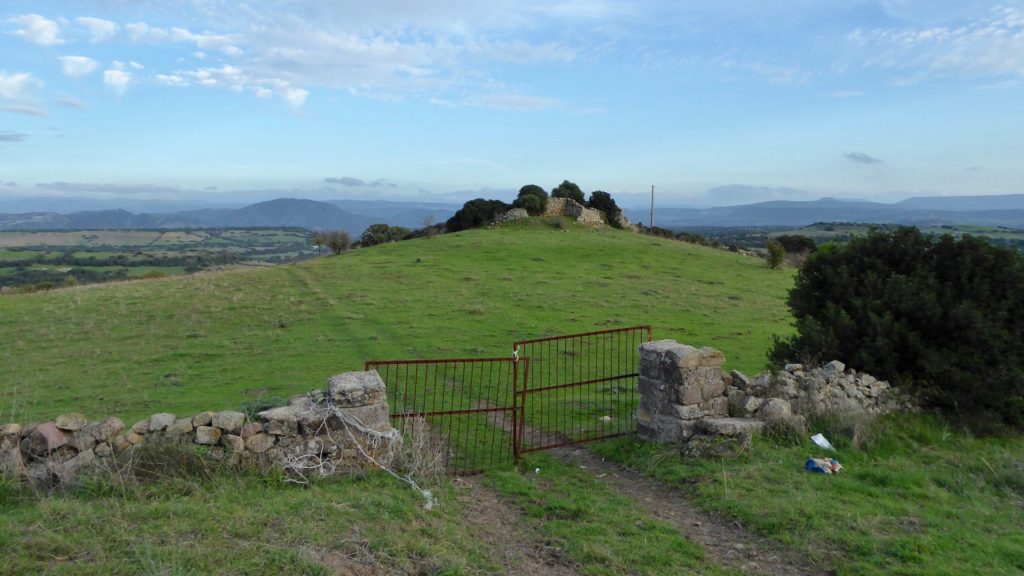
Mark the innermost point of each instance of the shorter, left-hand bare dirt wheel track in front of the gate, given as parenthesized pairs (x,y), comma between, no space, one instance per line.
(500,527)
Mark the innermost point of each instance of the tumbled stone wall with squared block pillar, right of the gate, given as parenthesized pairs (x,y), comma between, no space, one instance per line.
(686,397)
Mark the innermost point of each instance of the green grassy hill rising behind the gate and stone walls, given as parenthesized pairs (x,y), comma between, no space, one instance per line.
(215,341)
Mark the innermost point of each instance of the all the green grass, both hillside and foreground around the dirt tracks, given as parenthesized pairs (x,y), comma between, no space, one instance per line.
(918,499)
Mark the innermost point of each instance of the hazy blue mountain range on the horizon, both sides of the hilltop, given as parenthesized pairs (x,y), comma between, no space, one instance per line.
(355,216)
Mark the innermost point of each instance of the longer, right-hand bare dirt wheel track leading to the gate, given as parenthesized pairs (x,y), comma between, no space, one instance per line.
(724,542)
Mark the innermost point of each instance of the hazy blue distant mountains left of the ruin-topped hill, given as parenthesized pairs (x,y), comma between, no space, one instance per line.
(351,216)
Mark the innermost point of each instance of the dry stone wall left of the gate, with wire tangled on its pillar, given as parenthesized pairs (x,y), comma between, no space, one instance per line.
(336,431)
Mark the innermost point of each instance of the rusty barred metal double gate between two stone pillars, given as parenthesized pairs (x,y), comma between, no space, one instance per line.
(483,414)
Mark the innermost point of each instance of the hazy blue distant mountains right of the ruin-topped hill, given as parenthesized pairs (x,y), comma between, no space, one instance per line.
(984,211)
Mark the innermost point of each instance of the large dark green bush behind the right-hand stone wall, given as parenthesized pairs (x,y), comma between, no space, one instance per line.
(944,318)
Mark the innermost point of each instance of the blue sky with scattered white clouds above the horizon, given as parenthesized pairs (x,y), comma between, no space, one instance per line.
(450,100)
